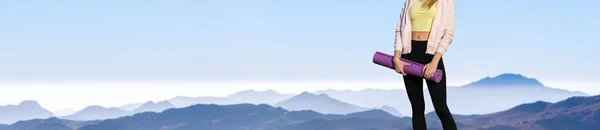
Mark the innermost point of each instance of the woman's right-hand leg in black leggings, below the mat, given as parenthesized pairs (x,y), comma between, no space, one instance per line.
(437,92)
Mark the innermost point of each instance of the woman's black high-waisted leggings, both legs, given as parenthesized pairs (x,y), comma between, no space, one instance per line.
(437,91)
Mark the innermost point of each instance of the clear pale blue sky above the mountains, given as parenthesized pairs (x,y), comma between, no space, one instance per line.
(283,40)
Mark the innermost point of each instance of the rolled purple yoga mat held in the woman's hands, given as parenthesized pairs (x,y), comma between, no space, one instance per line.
(414,69)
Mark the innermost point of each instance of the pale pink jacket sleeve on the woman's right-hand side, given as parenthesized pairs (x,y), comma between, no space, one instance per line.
(448,33)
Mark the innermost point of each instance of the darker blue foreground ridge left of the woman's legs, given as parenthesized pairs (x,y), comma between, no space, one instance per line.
(203,116)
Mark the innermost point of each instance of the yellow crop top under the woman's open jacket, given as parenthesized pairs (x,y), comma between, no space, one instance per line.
(421,17)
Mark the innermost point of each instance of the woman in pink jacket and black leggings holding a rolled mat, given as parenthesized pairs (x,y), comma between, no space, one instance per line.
(424,31)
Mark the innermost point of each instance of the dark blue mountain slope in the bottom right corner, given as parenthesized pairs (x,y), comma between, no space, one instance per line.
(575,113)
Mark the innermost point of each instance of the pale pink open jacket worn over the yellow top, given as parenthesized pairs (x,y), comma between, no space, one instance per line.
(441,34)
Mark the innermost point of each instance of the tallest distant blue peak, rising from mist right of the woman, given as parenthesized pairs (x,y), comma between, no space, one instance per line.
(506,80)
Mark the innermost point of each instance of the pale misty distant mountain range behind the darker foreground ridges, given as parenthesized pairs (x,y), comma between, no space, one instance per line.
(492,94)
